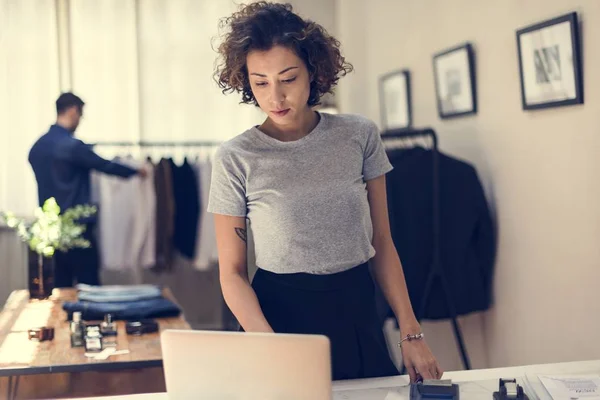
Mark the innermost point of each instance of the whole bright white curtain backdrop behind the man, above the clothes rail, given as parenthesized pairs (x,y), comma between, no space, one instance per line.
(143,67)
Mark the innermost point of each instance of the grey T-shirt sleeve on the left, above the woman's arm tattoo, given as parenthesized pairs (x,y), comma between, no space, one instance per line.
(227,187)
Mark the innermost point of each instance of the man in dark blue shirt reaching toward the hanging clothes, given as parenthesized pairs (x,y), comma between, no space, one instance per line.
(62,165)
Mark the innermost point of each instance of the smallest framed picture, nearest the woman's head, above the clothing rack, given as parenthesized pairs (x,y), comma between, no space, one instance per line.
(394,95)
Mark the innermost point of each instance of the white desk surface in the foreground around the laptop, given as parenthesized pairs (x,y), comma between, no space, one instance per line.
(486,380)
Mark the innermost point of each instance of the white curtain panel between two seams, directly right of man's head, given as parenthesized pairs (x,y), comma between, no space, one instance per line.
(104,68)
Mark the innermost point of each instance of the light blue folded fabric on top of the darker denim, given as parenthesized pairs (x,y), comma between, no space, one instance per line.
(117,293)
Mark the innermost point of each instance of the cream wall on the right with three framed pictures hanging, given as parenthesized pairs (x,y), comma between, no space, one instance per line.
(540,169)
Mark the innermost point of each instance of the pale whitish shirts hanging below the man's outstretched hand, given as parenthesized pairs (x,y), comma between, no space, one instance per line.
(127,218)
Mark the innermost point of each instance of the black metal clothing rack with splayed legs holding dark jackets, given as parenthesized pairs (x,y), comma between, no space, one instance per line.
(437,271)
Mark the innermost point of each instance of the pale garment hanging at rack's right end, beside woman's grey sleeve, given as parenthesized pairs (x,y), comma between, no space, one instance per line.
(206,241)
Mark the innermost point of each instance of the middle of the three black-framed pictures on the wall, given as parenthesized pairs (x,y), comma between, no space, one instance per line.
(454,74)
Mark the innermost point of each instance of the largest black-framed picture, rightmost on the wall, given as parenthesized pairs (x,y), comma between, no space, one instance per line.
(550,63)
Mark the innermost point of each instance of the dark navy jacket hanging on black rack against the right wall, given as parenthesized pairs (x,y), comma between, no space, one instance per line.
(467,241)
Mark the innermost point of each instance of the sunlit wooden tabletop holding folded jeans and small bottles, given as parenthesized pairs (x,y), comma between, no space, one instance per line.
(20,356)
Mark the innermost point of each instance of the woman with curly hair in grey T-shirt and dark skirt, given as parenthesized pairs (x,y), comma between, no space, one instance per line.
(312,188)
